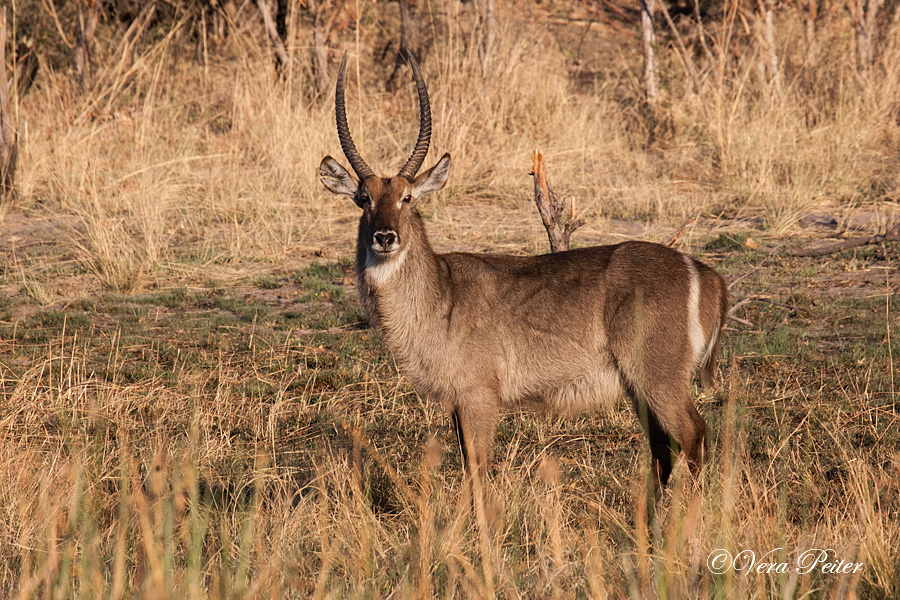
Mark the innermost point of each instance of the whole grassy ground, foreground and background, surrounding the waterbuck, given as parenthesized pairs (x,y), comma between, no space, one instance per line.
(188,409)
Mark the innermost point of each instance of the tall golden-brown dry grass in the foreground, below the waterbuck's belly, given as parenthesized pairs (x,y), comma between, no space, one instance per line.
(205,487)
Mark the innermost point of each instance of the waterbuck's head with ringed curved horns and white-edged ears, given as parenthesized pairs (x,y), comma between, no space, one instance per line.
(388,203)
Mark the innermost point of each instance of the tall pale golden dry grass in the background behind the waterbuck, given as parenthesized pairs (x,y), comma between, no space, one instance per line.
(167,159)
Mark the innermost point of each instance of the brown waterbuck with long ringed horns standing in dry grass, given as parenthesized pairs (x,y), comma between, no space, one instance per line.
(567,332)
